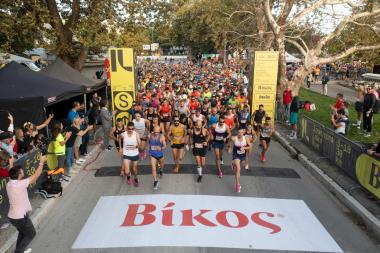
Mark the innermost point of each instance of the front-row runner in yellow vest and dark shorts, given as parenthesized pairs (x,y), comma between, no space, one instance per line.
(177,135)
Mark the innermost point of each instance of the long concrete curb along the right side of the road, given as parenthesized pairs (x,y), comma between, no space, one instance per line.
(371,222)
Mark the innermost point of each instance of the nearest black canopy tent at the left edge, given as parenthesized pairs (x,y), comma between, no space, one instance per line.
(26,94)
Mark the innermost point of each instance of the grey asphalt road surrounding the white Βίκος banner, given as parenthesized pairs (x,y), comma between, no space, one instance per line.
(62,225)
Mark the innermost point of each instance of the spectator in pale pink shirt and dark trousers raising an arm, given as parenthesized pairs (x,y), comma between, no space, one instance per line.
(17,191)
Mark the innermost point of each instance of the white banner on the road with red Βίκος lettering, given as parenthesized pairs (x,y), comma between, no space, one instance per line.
(204,221)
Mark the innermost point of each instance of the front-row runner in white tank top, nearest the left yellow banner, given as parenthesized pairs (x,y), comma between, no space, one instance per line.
(130,152)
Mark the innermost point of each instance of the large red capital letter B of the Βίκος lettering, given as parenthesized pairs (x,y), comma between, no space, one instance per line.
(133,211)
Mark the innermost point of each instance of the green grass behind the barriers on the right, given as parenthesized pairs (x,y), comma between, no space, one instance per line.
(323,115)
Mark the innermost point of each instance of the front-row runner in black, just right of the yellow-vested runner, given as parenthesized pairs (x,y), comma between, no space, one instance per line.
(199,143)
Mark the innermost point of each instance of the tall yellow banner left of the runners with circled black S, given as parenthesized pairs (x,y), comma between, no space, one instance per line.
(123,86)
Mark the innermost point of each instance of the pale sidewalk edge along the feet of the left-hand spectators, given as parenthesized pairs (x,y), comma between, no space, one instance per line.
(42,210)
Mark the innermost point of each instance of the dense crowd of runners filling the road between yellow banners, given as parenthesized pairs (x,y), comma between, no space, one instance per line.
(191,107)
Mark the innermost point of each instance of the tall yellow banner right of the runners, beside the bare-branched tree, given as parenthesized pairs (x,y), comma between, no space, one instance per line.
(265,70)
